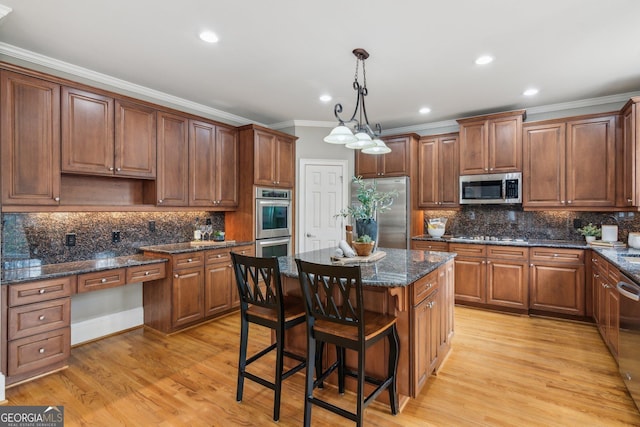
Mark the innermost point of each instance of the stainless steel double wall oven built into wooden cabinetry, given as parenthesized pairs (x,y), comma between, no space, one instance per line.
(273,222)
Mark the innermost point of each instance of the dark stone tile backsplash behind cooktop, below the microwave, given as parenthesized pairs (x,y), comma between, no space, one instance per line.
(510,221)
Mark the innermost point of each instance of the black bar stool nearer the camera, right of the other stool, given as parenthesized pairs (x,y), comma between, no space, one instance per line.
(336,315)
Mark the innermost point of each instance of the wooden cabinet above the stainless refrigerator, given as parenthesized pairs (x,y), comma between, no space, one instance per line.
(396,163)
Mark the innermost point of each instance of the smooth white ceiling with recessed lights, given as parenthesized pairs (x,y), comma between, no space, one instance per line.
(275,58)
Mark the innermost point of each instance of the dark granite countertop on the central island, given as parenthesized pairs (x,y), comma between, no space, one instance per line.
(399,267)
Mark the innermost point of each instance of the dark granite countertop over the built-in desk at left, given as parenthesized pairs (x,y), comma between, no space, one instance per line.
(50,271)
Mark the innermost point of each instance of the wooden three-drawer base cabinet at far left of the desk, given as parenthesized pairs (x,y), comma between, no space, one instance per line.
(38,327)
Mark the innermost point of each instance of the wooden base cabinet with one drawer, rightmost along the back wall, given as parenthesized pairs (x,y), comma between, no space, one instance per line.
(557,281)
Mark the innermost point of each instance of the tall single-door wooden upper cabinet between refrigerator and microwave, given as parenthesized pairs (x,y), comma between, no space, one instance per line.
(438,171)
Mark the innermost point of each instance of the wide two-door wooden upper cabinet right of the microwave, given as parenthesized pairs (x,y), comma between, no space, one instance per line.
(570,163)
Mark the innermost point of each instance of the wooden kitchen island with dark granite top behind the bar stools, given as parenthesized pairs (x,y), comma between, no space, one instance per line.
(415,286)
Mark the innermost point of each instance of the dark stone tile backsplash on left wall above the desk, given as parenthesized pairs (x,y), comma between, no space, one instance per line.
(39,238)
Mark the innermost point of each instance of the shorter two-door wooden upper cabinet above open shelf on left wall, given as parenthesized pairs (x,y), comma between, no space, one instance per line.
(104,136)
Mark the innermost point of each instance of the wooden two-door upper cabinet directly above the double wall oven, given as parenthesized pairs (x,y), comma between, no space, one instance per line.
(273,159)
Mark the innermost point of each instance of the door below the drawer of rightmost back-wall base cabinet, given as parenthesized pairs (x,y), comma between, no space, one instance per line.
(558,288)
